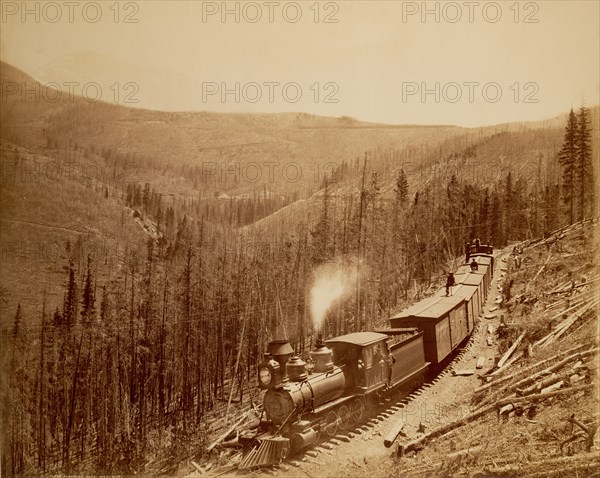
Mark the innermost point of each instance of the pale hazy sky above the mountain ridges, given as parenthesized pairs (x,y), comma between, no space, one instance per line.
(465,63)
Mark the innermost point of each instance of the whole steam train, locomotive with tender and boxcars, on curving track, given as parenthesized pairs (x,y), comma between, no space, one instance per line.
(349,374)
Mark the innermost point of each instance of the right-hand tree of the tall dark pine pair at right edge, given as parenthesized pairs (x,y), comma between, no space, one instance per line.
(583,161)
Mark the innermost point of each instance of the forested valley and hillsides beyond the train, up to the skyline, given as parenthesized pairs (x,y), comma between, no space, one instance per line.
(165,270)
